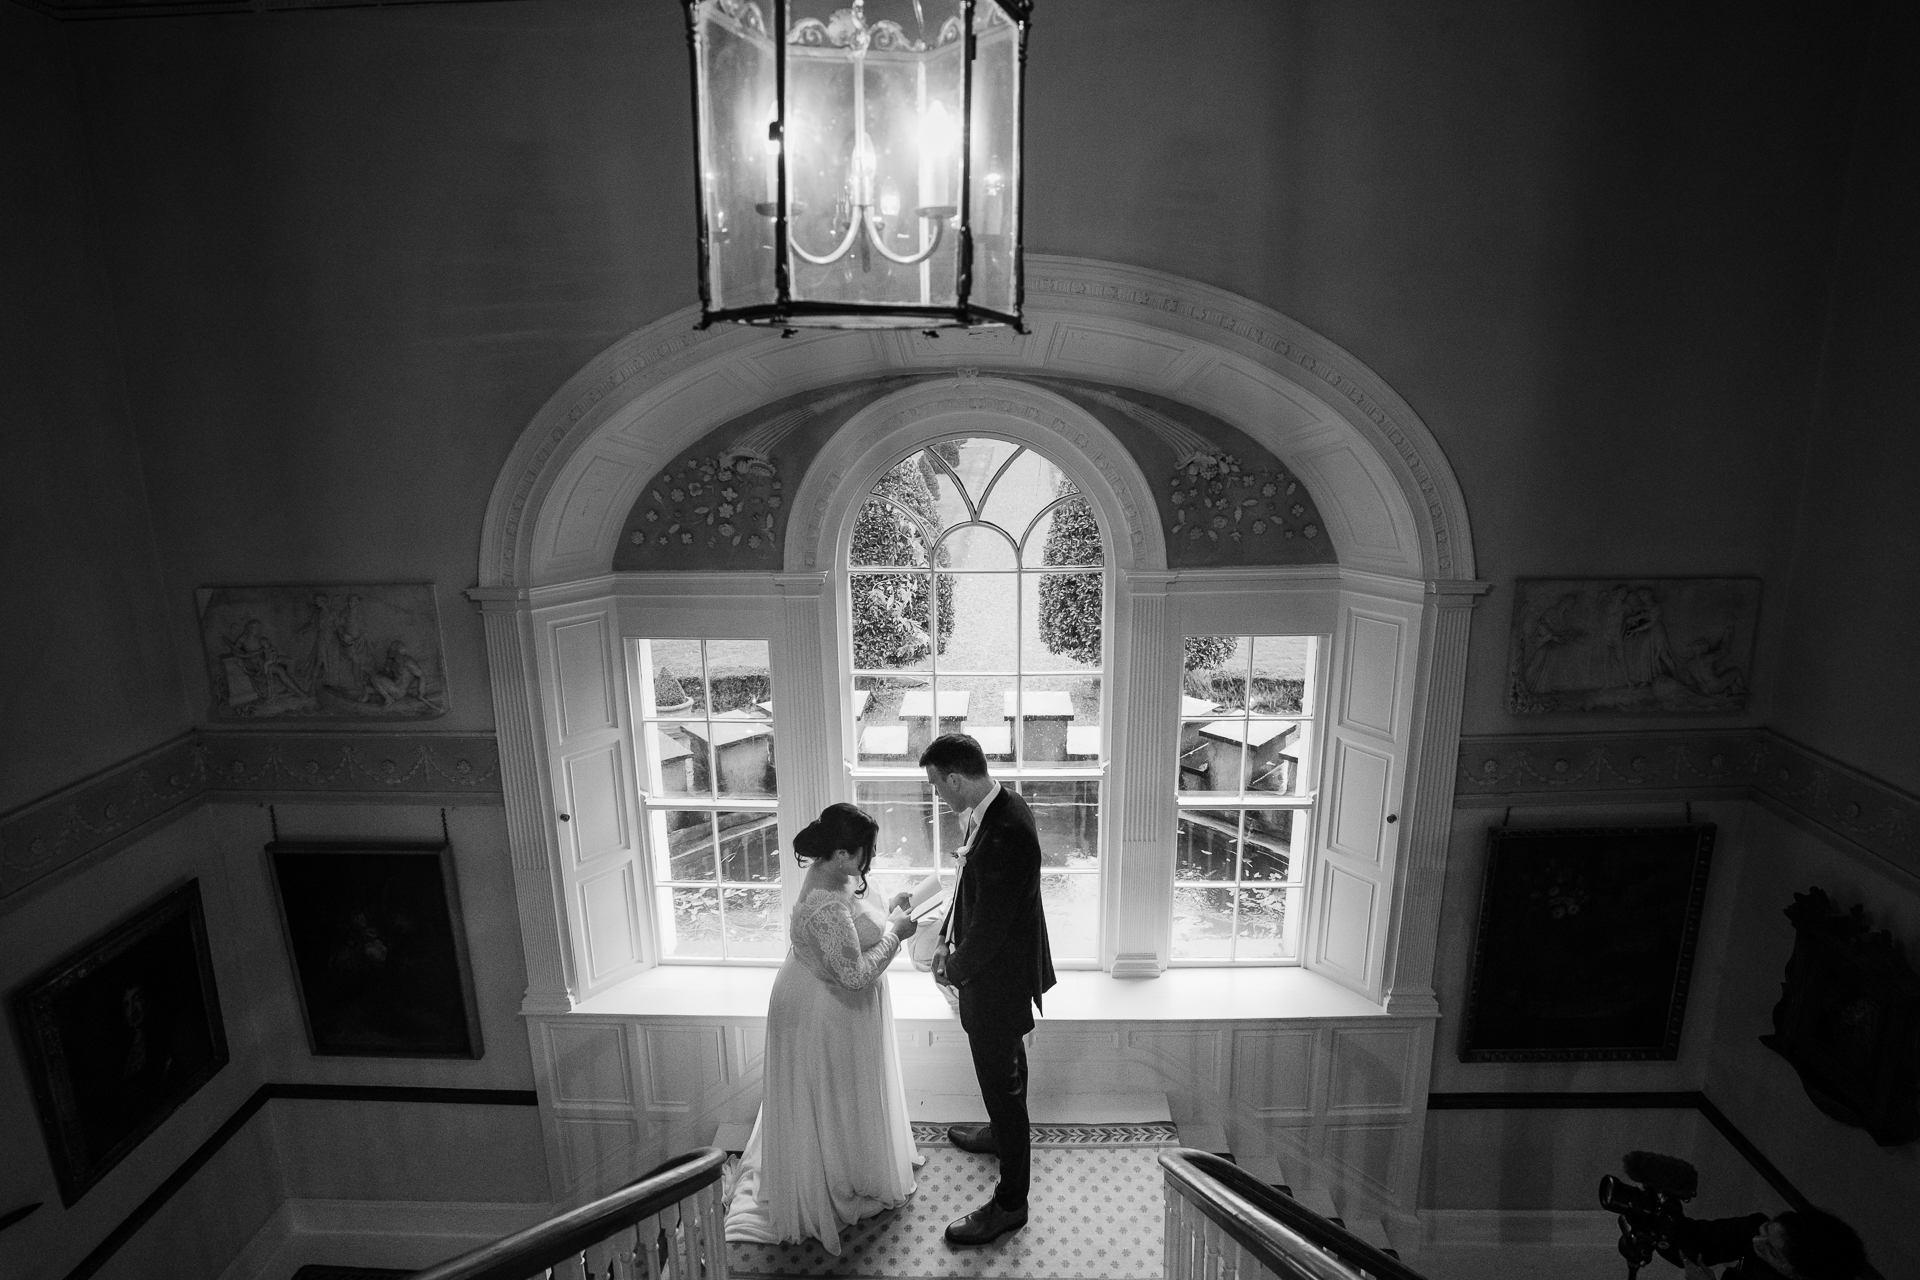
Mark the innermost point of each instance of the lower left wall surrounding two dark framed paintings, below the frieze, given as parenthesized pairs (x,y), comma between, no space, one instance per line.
(295,1149)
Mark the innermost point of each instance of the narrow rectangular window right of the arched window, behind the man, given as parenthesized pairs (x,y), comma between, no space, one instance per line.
(1245,805)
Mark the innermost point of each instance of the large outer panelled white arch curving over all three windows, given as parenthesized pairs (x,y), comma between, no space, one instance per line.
(1387,492)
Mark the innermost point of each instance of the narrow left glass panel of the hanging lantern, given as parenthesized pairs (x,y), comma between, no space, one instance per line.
(736,91)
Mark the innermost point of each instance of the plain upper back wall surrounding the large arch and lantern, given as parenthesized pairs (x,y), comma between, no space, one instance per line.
(356,250)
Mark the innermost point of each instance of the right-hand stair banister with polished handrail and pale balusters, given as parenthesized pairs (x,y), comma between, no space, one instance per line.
(1280,1235)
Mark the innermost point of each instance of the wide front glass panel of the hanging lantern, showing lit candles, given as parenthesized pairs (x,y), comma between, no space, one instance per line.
(875,153)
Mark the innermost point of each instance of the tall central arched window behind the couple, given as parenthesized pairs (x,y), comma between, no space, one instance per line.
(976,604)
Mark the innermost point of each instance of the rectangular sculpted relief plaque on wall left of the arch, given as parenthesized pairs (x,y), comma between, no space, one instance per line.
(350,653)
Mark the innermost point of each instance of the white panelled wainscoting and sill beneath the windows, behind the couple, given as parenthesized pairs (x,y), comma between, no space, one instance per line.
(1333,1093)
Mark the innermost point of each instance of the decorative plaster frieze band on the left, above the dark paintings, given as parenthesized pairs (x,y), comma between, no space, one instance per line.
(164,784)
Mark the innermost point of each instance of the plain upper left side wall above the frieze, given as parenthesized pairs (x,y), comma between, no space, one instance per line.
(89,673)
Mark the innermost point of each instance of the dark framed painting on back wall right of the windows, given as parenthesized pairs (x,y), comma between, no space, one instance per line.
(1587,943)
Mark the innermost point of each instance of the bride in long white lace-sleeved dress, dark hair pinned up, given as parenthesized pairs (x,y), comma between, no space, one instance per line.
(830,1145)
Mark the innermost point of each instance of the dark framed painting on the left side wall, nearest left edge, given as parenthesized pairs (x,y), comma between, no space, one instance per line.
(118,1035)
